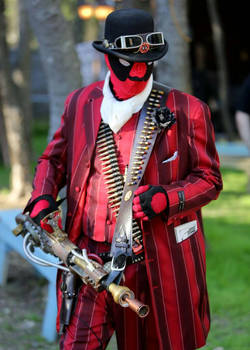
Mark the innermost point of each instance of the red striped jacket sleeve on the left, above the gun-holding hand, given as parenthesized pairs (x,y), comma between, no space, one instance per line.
(50,174)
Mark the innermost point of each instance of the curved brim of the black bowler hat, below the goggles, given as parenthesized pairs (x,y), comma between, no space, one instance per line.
(151,55)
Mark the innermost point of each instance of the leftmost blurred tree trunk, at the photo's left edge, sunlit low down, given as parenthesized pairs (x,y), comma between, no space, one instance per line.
(14,121)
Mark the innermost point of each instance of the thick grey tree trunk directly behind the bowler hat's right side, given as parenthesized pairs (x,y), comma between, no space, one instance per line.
(174,68)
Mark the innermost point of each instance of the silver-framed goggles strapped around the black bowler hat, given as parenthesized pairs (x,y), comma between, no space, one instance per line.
(127,42)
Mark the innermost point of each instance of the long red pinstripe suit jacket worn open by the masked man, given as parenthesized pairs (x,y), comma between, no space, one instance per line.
(176,272)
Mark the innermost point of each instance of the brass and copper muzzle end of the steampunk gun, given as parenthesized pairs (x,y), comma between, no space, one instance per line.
(125,297)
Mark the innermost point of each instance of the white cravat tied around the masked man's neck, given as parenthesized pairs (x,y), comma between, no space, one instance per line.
(116,113)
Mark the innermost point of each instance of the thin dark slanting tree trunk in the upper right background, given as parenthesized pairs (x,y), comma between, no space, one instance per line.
(218,39)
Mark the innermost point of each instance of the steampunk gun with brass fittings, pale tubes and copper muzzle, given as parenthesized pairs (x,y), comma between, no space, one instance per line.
(53,240)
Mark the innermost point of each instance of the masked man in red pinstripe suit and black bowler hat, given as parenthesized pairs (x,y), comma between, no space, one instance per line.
(182,175)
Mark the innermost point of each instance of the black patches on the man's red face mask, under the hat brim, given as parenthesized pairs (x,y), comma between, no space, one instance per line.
(122,71)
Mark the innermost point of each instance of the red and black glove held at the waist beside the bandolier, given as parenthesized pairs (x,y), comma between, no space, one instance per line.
(149,201)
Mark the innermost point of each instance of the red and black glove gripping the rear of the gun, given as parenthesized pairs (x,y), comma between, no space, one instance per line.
(41,207)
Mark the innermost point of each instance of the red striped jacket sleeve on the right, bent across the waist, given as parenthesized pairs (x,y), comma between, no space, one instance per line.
(204,182)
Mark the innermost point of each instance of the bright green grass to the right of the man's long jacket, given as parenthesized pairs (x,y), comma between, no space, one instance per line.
(227,223)
